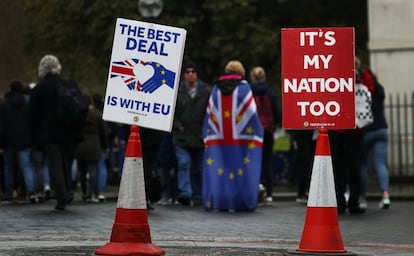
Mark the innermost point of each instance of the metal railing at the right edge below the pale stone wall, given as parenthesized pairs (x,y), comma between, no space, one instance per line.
(399,111)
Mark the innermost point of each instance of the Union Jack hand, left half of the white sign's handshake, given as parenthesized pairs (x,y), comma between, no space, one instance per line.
(125,70)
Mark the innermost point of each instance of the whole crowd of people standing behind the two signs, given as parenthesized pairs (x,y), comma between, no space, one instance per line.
(218,155)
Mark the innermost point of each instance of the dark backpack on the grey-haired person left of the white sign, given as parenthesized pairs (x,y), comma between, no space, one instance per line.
(72,107)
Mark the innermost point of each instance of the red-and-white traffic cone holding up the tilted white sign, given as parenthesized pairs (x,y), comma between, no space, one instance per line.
(130,232)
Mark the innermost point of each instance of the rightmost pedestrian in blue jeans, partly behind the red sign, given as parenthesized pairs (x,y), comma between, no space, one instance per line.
(375,142)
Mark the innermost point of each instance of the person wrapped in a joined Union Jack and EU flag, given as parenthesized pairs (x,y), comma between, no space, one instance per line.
(233,136)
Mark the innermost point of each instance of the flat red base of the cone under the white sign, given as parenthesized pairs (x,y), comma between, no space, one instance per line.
(131,249)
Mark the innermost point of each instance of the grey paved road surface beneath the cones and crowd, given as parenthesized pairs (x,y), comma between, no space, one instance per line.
(270,230)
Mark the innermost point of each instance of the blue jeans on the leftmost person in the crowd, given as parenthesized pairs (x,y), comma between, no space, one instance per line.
(23,159)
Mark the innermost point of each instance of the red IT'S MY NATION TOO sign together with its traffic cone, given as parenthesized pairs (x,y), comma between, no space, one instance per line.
(318,93)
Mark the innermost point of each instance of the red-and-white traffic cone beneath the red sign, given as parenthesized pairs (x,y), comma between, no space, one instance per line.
(321,233)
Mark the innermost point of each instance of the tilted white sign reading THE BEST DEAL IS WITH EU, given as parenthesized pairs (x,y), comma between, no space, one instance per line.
(144,74)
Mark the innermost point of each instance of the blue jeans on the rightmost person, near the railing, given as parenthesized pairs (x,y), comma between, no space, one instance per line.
(375,142)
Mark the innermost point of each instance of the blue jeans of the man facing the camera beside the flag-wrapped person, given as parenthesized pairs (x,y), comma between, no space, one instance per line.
(189,172)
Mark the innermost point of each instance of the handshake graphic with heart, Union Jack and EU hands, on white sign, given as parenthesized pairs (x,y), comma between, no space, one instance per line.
(160,77)
